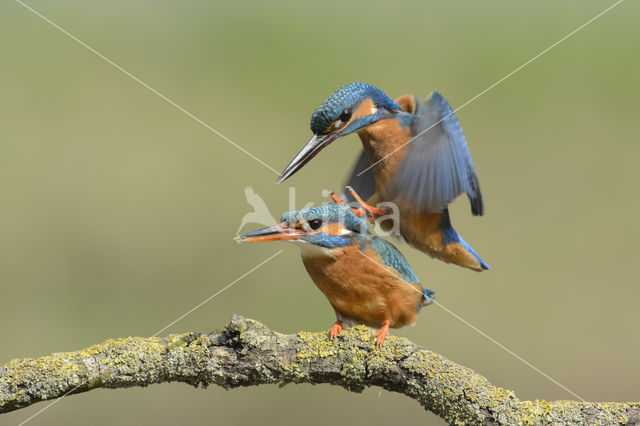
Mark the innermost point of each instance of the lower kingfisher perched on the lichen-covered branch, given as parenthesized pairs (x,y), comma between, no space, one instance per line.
(364,277)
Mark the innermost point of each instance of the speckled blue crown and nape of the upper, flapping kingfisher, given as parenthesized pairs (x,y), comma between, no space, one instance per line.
(349,96)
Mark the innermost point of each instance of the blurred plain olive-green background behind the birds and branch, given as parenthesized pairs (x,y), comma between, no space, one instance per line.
(118,211)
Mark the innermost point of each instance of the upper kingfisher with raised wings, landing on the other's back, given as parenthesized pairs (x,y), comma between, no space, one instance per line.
(414,156)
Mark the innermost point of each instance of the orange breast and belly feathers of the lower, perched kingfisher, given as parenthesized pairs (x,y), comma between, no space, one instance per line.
(364,291)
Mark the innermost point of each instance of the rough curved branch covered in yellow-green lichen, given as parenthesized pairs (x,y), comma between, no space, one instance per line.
(248,353)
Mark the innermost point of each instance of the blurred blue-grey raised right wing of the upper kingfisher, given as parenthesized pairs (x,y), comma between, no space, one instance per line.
(437,165)
